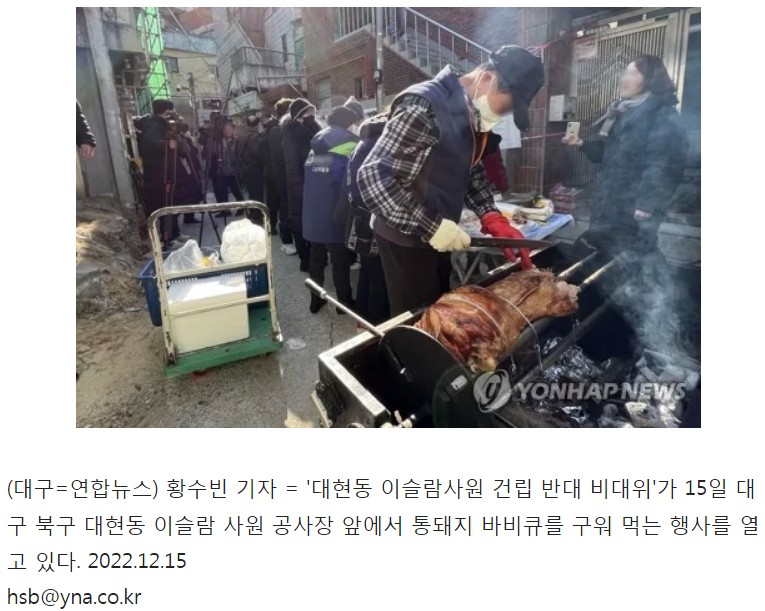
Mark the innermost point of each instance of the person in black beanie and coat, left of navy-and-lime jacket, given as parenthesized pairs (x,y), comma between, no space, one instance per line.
(299,126)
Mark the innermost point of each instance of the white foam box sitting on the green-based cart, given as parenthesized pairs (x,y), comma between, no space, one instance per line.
(195,331)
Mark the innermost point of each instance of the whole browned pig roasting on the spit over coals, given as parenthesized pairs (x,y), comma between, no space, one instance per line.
(478,325)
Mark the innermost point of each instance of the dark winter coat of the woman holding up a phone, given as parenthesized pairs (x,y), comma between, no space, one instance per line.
(641,164)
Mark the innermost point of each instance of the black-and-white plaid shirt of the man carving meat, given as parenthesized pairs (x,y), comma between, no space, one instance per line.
(410,134)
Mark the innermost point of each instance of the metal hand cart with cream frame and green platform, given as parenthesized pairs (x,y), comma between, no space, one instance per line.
(265,333)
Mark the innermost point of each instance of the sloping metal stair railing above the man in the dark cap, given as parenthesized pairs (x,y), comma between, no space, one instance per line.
(428,42)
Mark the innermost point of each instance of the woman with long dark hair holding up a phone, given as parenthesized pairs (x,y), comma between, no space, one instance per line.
(641,148)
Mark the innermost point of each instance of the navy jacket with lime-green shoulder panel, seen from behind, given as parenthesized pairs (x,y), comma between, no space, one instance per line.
(325,171)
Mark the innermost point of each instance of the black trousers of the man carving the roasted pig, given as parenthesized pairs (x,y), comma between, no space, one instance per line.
(415,276)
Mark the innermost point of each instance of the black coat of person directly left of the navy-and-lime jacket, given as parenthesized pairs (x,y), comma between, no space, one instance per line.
(296,143)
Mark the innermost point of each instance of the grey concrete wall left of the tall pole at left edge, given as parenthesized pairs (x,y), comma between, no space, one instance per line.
(98,172)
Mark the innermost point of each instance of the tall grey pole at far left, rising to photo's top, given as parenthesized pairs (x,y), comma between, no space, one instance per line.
(108,93)
